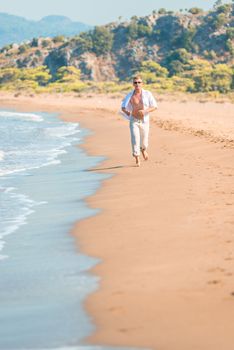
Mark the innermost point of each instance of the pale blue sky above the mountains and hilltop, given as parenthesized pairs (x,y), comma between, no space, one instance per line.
(96,12)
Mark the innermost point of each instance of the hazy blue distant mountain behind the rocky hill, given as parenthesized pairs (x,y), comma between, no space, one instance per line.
(14,29)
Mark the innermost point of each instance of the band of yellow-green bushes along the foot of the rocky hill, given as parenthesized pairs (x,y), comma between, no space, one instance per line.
(195,76)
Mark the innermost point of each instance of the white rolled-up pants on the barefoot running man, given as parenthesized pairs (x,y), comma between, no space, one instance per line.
(139,135)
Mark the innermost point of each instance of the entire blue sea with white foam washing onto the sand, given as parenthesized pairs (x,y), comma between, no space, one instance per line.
(44,278)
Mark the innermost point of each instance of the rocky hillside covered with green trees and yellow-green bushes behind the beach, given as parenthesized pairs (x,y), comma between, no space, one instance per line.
(191,51)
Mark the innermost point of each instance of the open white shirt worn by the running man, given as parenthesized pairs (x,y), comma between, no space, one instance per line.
(147,99)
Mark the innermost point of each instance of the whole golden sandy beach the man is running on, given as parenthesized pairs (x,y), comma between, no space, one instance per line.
(165,231)
